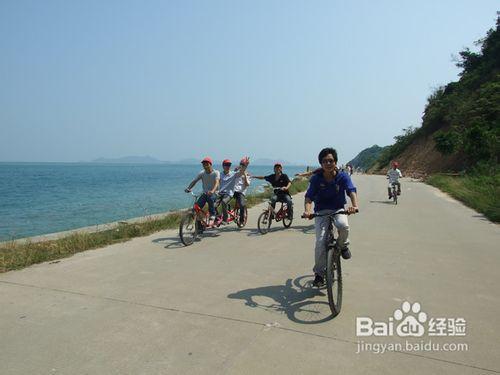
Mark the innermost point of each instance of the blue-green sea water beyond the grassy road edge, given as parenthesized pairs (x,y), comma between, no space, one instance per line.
(42,198)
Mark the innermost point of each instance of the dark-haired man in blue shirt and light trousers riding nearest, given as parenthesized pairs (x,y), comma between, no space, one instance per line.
(327,190)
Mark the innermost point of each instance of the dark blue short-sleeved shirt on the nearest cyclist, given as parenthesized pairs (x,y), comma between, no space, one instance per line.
(329,195)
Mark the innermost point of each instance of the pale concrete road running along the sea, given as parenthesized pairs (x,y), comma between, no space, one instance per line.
(241,303)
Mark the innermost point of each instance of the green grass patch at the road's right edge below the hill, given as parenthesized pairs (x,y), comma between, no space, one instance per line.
(480,192)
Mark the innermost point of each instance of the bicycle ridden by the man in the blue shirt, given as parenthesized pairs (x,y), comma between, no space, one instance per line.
(333,264)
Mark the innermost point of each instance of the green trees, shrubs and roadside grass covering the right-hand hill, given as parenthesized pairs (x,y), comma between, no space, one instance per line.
(463,119)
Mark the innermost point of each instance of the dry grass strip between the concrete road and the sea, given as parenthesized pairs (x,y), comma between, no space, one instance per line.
(16,255)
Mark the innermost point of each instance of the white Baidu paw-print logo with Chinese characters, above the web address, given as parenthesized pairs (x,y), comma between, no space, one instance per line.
(410,321)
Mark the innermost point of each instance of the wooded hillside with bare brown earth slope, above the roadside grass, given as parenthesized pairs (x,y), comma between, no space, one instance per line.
(461,122)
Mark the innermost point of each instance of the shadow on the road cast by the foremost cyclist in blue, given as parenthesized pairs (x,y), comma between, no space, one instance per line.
(294,298)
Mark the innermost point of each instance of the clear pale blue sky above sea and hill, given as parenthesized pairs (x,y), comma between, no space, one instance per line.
(81,80)
